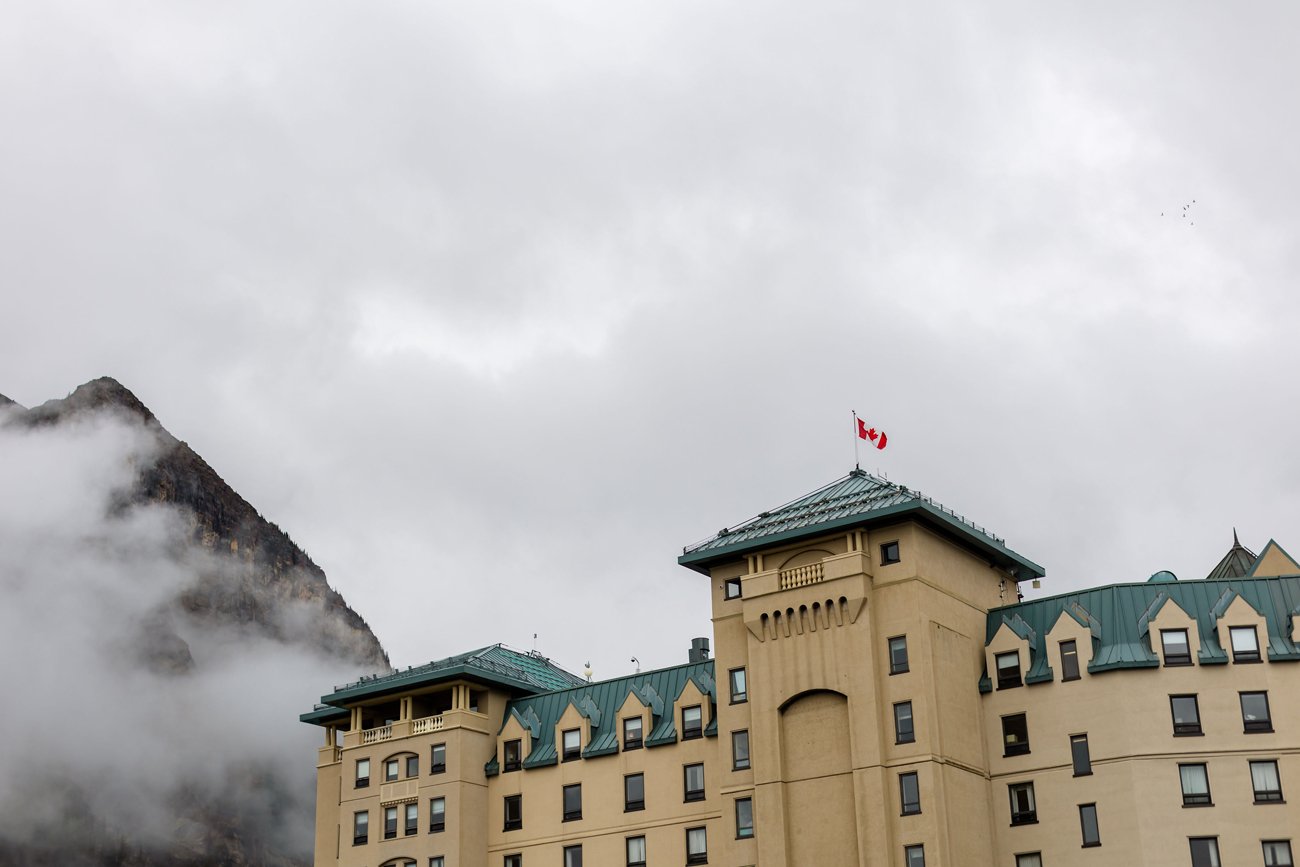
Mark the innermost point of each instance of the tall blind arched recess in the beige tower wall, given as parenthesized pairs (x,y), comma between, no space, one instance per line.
(817,764)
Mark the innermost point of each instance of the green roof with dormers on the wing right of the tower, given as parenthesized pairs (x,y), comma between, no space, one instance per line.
(1119,615)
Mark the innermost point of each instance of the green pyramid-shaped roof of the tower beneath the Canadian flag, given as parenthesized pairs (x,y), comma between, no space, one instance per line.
(857,500)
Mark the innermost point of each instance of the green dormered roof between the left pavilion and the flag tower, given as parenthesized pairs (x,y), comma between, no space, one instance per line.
(600,703)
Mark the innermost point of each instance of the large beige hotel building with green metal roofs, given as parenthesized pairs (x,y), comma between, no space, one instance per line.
(878,695)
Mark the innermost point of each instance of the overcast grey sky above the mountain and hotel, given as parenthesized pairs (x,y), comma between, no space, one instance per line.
(496,306)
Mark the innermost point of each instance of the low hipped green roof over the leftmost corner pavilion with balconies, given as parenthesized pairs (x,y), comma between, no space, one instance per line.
(496,665)
